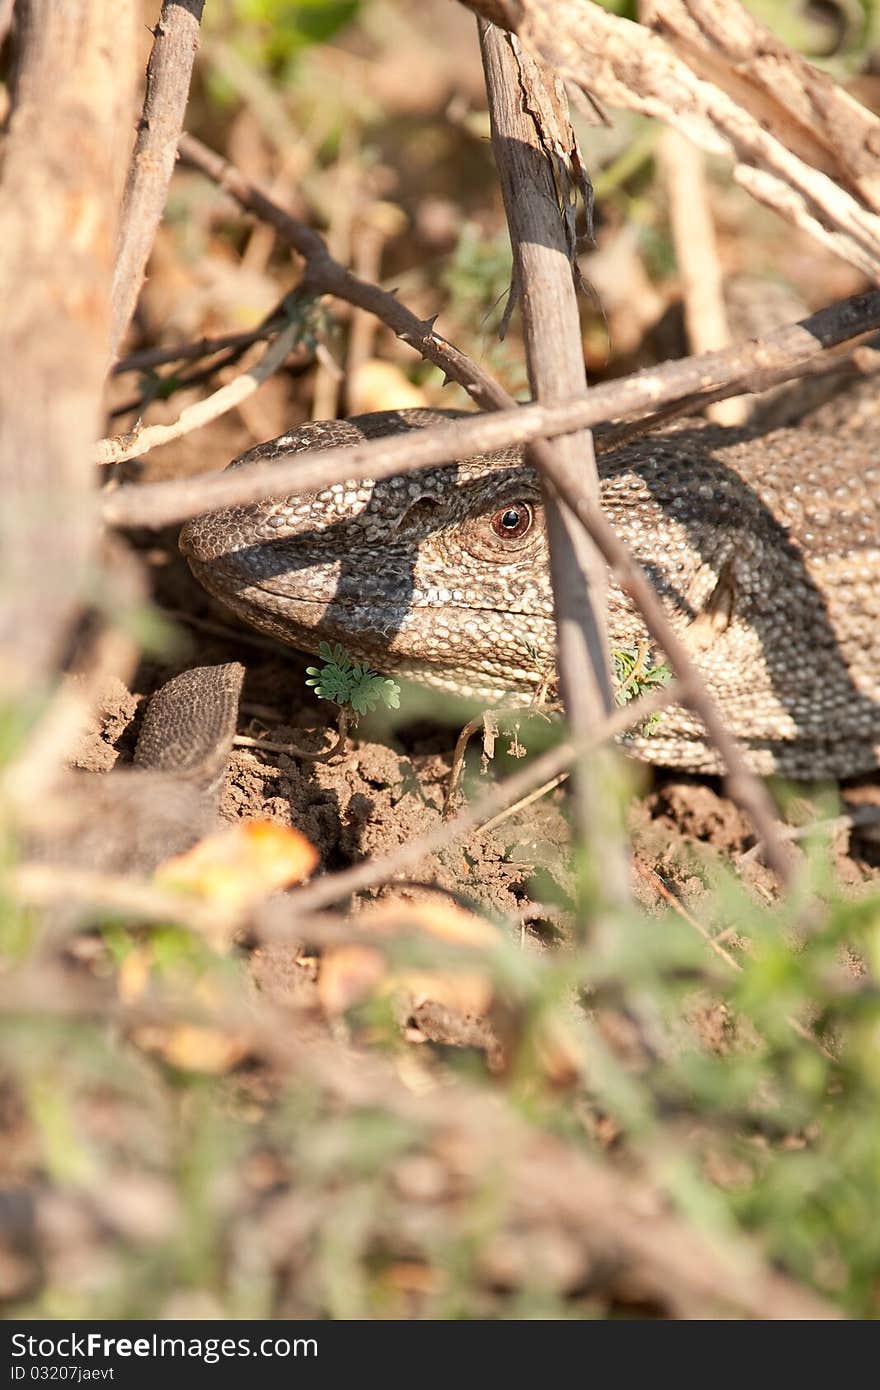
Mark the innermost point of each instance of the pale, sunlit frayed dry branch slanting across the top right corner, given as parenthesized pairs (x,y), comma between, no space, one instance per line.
(629,66)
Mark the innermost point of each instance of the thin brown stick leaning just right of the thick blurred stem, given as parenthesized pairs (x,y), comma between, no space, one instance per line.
(152,166)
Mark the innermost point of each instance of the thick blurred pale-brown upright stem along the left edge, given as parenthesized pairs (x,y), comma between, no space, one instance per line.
(65,159)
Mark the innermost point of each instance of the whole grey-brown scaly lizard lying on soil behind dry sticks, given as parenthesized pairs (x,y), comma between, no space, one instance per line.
(765,551)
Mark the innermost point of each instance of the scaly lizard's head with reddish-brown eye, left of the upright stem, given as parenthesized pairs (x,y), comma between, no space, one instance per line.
(437,576)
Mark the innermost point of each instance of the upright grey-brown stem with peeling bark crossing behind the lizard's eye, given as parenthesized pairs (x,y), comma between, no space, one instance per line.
(529,112)
